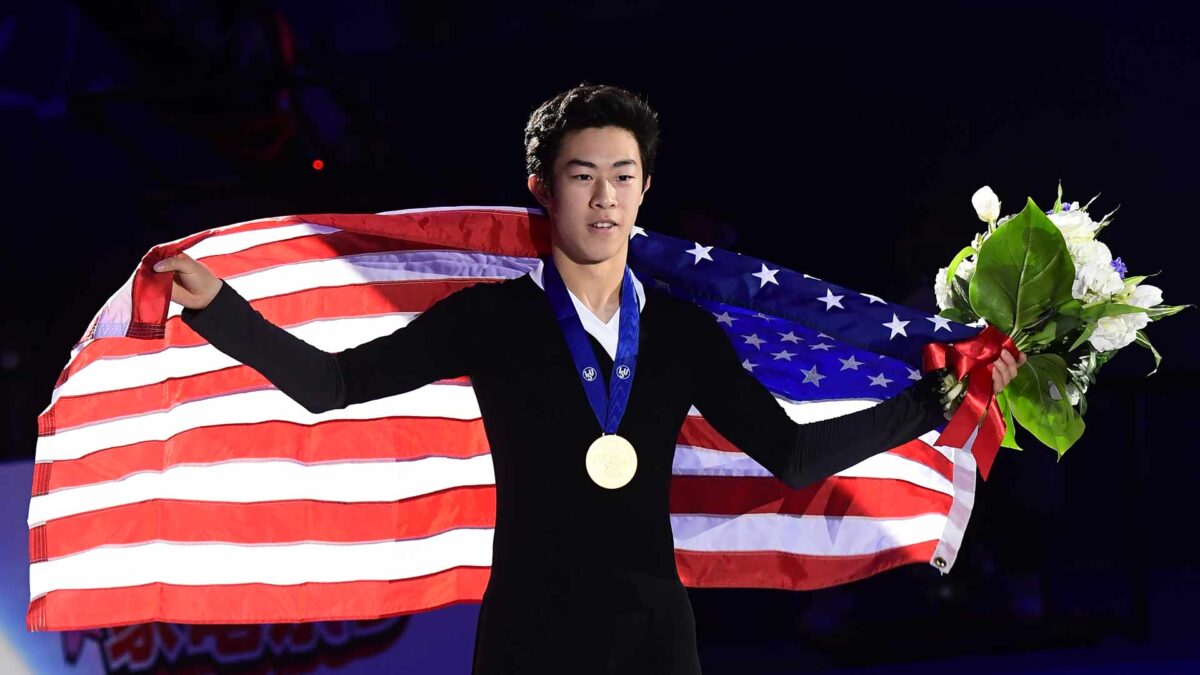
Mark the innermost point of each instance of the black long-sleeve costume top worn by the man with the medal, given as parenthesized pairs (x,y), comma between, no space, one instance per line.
(575,566)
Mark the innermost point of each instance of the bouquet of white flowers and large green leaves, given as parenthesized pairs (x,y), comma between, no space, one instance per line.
(1043,279)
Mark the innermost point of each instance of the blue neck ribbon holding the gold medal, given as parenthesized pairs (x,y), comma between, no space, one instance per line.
(609,405)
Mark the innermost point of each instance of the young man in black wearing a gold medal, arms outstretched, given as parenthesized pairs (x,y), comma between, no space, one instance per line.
(584,379)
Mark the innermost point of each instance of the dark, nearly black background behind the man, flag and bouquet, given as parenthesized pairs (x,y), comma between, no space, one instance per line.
(841,140)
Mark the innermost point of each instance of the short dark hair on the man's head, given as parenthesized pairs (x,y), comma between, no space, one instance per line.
(585,107)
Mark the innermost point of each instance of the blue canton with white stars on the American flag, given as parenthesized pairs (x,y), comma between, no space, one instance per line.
(803,338)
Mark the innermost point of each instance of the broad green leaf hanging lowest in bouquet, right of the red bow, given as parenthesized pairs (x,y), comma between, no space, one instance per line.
(1053,422)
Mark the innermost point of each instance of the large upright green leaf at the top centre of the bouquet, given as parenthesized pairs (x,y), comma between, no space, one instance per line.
(1024,271)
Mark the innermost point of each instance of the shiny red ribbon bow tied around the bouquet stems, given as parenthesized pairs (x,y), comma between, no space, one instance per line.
(974,357)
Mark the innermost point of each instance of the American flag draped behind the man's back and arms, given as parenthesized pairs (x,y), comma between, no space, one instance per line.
(176,485)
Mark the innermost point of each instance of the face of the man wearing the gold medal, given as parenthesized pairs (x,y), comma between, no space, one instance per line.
(597,189)
